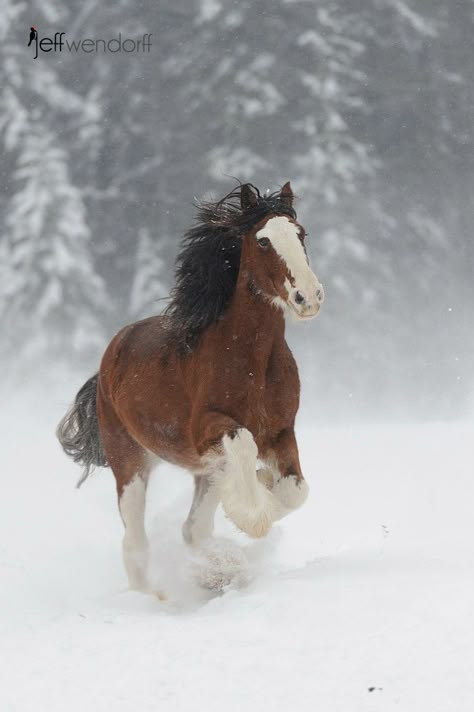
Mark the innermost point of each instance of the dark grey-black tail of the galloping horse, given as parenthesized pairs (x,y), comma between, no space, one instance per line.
(78,432)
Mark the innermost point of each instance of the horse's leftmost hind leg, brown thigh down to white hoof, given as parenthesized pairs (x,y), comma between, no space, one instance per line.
(131,466)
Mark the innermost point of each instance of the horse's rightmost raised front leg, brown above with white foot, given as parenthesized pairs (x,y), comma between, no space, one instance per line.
(282,472)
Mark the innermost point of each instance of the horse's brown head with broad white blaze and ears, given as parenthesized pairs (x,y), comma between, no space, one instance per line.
(276,257)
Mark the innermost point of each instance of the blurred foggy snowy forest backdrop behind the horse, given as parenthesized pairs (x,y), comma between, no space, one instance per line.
(366,106)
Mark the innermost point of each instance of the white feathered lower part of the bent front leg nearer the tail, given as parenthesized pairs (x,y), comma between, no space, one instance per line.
(246,501)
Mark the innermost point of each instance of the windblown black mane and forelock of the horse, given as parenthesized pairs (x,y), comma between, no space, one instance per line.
(208,263)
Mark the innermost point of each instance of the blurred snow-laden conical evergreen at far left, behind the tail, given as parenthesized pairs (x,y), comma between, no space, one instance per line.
(51,299)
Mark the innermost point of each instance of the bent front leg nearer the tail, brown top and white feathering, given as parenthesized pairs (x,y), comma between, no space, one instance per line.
(232,454)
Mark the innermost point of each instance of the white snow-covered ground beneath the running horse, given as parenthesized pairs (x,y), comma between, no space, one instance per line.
(363,600)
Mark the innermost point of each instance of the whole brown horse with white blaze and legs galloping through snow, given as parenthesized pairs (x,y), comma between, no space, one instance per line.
(210,385)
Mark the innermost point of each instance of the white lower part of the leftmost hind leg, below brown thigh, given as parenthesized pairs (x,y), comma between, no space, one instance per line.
(135,543)
